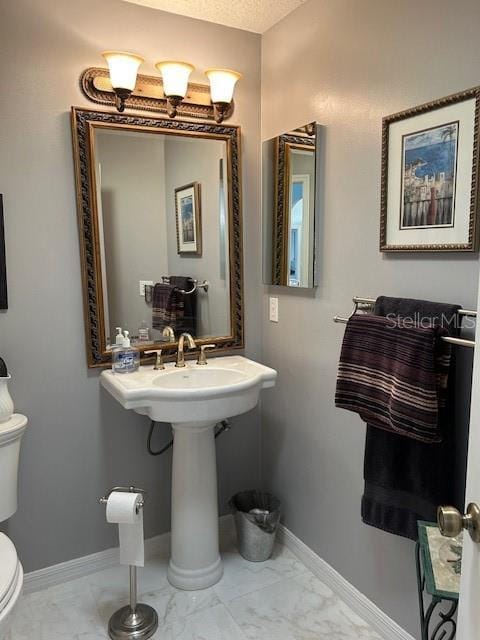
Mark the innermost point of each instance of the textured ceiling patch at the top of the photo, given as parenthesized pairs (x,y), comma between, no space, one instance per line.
(251,15)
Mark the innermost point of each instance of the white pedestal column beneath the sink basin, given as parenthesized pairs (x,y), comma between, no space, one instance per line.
(195,559)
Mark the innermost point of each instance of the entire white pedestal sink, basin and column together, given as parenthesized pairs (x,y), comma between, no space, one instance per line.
(193,399)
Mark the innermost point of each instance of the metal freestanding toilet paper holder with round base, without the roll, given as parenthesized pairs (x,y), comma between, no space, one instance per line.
(135,621)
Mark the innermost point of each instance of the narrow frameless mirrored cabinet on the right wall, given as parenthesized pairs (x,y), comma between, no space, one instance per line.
(290,205)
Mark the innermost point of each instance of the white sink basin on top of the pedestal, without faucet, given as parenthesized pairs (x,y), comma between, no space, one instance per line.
(223,388)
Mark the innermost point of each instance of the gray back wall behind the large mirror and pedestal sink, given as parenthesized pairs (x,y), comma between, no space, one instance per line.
(81,442)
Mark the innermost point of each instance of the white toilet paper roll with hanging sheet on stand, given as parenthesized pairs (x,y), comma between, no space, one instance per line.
(122,510)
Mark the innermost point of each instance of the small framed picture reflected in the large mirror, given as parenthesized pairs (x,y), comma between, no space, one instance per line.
(188,215)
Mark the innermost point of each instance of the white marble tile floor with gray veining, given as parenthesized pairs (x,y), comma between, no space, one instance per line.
(275,600)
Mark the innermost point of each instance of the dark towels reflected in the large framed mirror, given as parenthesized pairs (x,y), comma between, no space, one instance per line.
(172,308)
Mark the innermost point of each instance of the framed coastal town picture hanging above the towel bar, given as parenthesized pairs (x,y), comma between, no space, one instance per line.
(429,196)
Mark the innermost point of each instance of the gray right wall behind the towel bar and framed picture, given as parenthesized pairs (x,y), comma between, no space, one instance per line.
(346,64)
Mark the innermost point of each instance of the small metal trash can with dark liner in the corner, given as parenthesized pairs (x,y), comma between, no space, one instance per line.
(256,517)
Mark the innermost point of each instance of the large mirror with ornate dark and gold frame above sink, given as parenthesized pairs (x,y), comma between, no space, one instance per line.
(150,193)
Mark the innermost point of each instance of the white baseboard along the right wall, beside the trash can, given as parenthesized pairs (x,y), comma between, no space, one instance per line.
(387,628)
